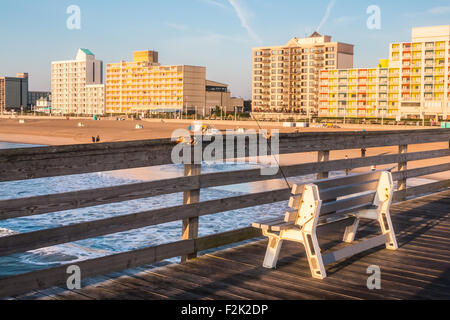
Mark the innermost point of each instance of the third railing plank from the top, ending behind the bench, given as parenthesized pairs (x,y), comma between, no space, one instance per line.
(49,237)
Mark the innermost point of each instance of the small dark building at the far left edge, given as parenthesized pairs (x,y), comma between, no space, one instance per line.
(14,92)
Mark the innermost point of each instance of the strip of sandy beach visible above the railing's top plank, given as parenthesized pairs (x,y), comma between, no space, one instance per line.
(63,132)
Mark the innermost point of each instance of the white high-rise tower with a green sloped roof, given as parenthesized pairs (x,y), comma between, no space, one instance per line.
(77,85)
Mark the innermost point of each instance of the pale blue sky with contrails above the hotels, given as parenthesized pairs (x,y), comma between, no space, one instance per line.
(218,34)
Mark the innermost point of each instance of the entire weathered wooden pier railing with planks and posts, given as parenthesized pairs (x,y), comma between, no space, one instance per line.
(21,164)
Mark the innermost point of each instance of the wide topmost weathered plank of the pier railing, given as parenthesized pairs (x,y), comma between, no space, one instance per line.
(18,164)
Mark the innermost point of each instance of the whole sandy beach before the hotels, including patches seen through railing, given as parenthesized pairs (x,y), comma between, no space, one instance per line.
(64,132)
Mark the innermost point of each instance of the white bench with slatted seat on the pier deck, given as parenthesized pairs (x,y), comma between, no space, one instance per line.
(362,196)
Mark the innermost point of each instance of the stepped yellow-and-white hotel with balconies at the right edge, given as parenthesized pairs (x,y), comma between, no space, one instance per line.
(413,83)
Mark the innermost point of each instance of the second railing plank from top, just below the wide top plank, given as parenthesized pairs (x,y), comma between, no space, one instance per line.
(80,199)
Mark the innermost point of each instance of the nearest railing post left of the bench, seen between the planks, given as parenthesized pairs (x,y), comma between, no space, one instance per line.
(190,225)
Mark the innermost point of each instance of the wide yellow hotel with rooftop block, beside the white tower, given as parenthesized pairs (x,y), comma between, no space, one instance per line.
(144,85)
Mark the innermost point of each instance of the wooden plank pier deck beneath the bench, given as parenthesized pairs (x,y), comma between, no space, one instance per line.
(420,269)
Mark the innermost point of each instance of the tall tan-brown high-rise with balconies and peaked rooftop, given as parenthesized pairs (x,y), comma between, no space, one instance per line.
(286,78)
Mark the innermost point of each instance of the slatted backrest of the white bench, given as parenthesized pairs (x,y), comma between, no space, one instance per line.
(341,194)
